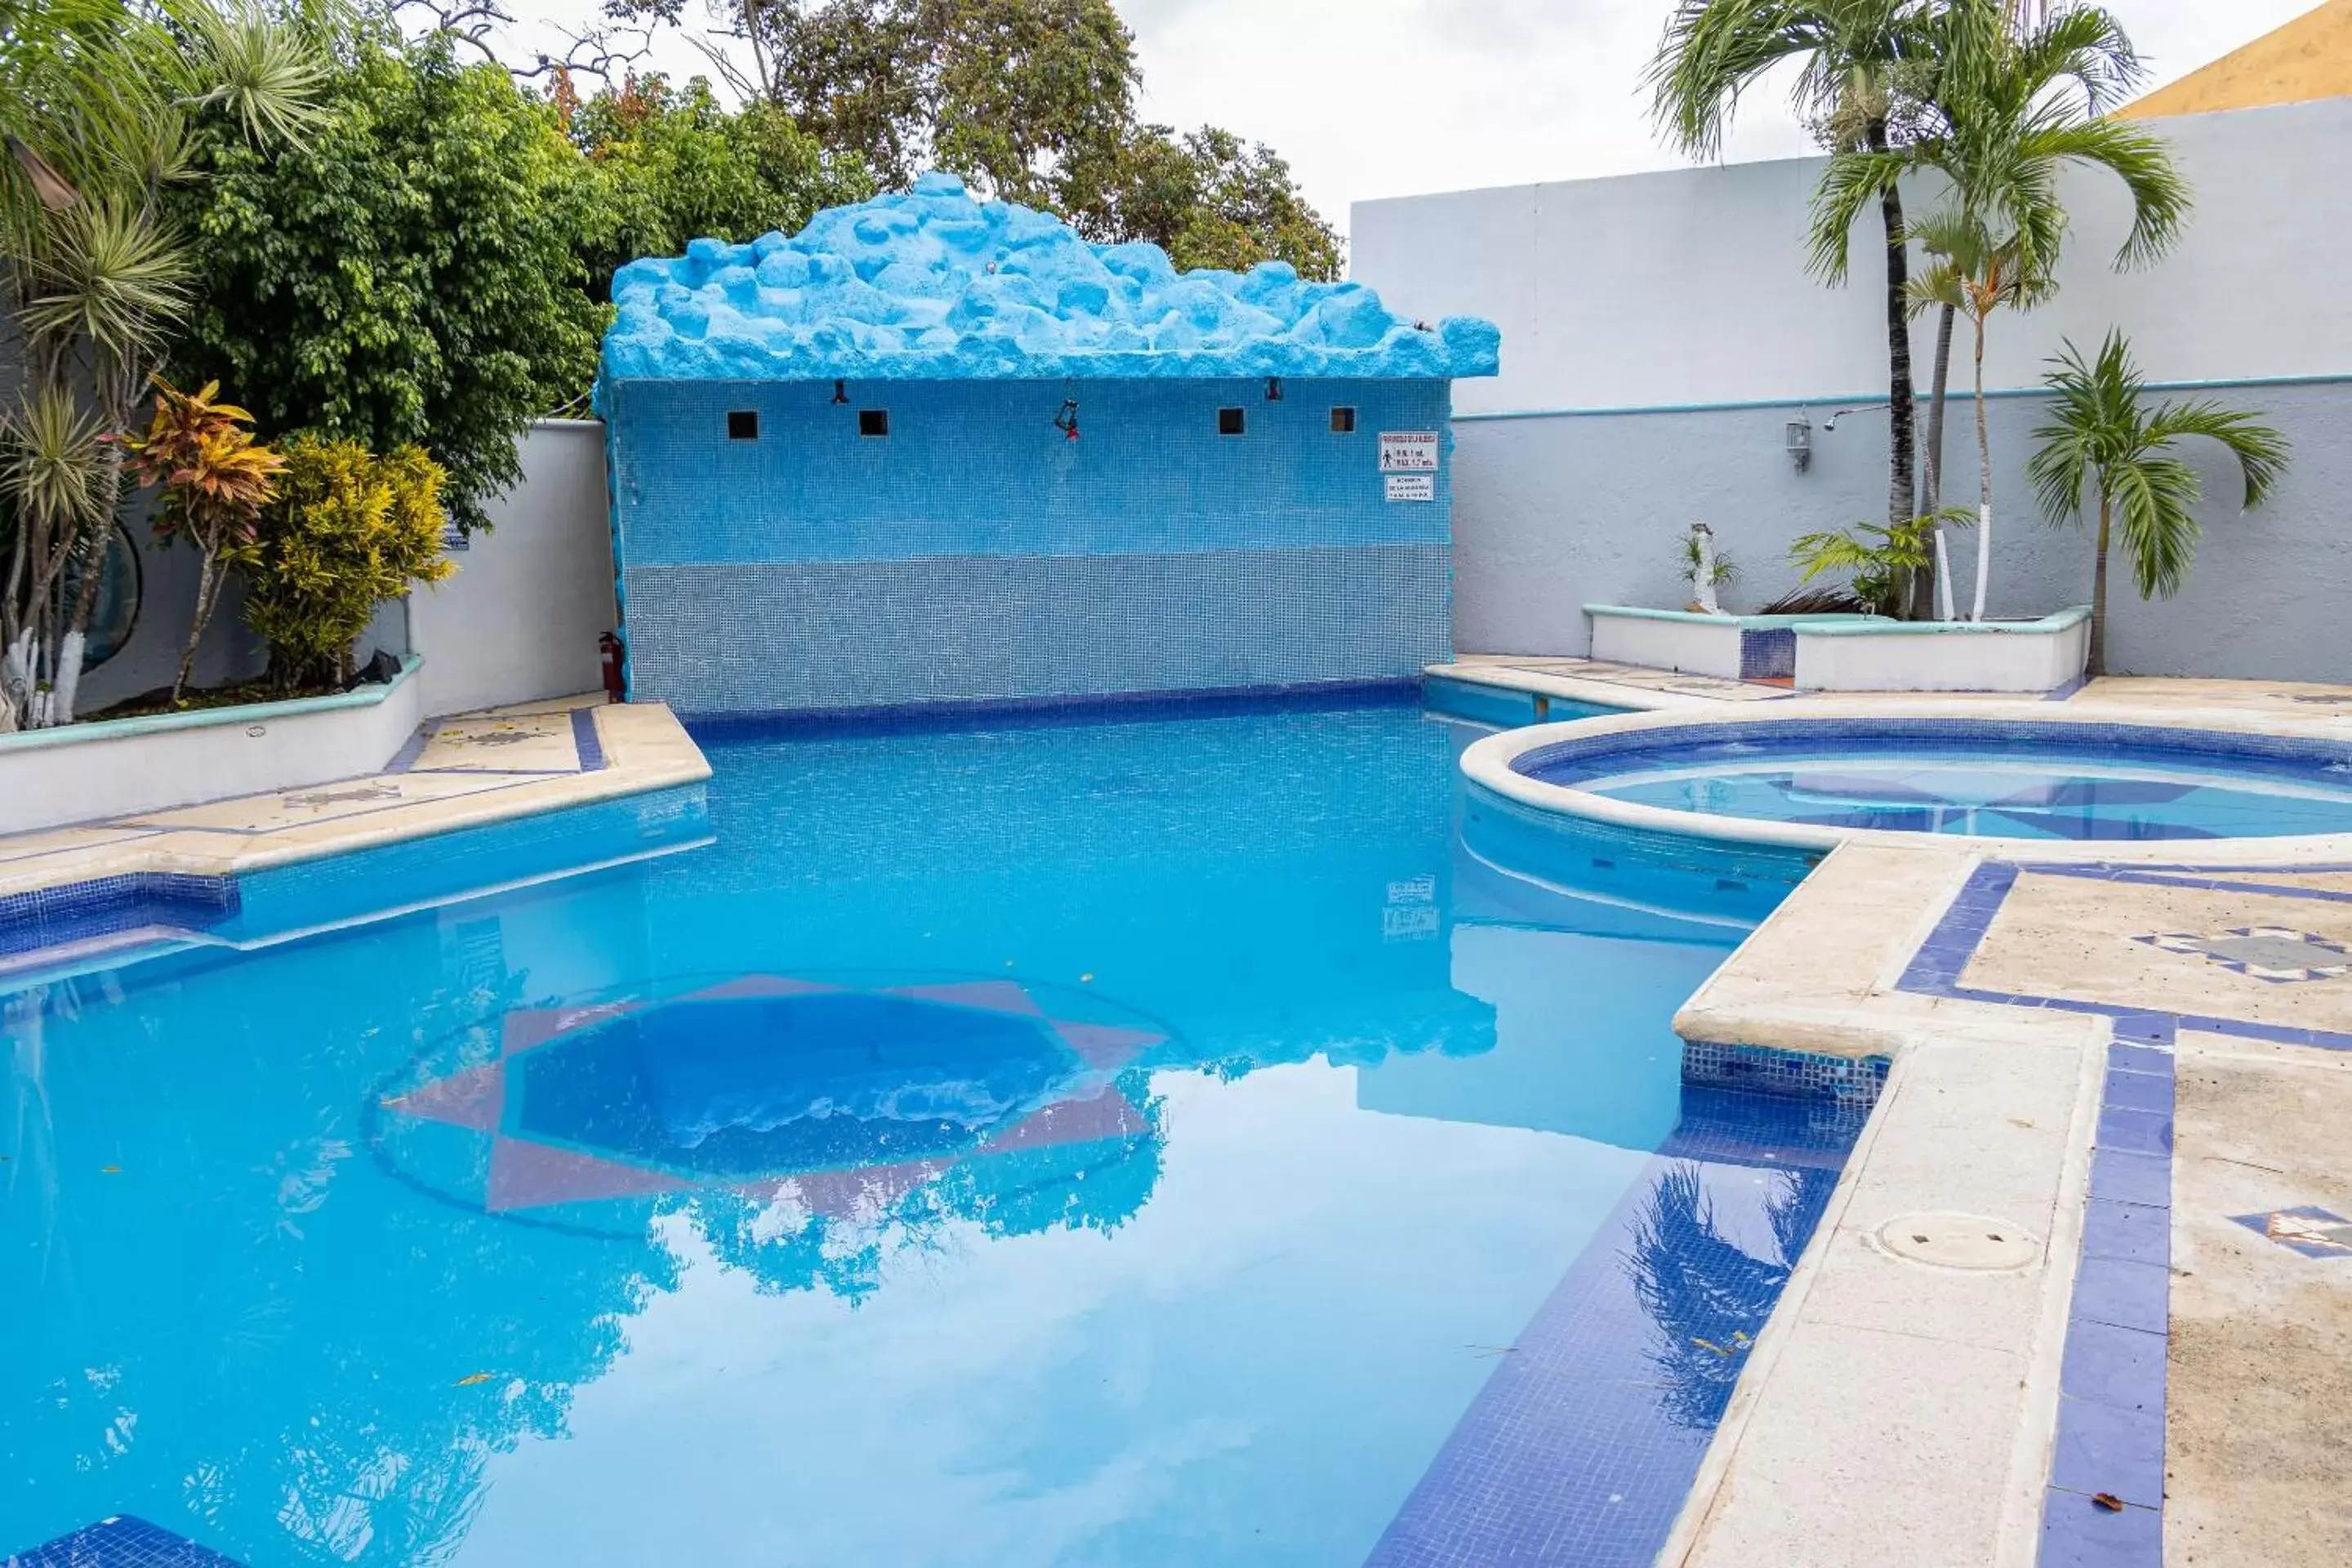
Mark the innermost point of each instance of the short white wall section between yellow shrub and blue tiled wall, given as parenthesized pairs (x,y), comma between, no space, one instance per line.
(523,615)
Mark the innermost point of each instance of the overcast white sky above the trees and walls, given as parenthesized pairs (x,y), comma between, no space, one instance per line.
(1394,98)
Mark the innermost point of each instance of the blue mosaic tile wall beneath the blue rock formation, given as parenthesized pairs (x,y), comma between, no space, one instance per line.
(977,554)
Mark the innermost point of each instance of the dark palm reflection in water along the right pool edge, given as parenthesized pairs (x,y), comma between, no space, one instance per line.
(1709,1296)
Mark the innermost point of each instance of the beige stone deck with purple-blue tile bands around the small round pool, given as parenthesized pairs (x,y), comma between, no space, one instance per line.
(2141,1066)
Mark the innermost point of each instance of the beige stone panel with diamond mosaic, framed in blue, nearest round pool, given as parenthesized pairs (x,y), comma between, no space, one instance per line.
(2076,937)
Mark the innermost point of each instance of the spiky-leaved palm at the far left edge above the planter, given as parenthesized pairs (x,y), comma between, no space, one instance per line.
(95,105)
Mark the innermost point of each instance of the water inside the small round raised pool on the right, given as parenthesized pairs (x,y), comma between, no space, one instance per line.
(2003,779)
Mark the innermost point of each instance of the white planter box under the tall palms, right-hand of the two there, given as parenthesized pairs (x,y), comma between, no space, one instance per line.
(1946,655)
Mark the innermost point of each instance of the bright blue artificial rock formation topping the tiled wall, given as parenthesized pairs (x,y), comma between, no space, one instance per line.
(933,286)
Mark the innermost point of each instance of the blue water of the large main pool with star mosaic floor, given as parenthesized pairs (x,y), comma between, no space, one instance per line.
(1116,1144)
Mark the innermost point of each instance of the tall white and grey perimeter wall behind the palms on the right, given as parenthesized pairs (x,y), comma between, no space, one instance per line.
(1662,330)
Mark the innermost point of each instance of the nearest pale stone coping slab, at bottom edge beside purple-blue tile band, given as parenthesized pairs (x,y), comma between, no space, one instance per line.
(1859,1456)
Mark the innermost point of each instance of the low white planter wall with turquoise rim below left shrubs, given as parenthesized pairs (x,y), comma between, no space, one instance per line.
(91,772)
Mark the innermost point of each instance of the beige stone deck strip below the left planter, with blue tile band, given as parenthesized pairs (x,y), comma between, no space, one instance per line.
(460,772)
